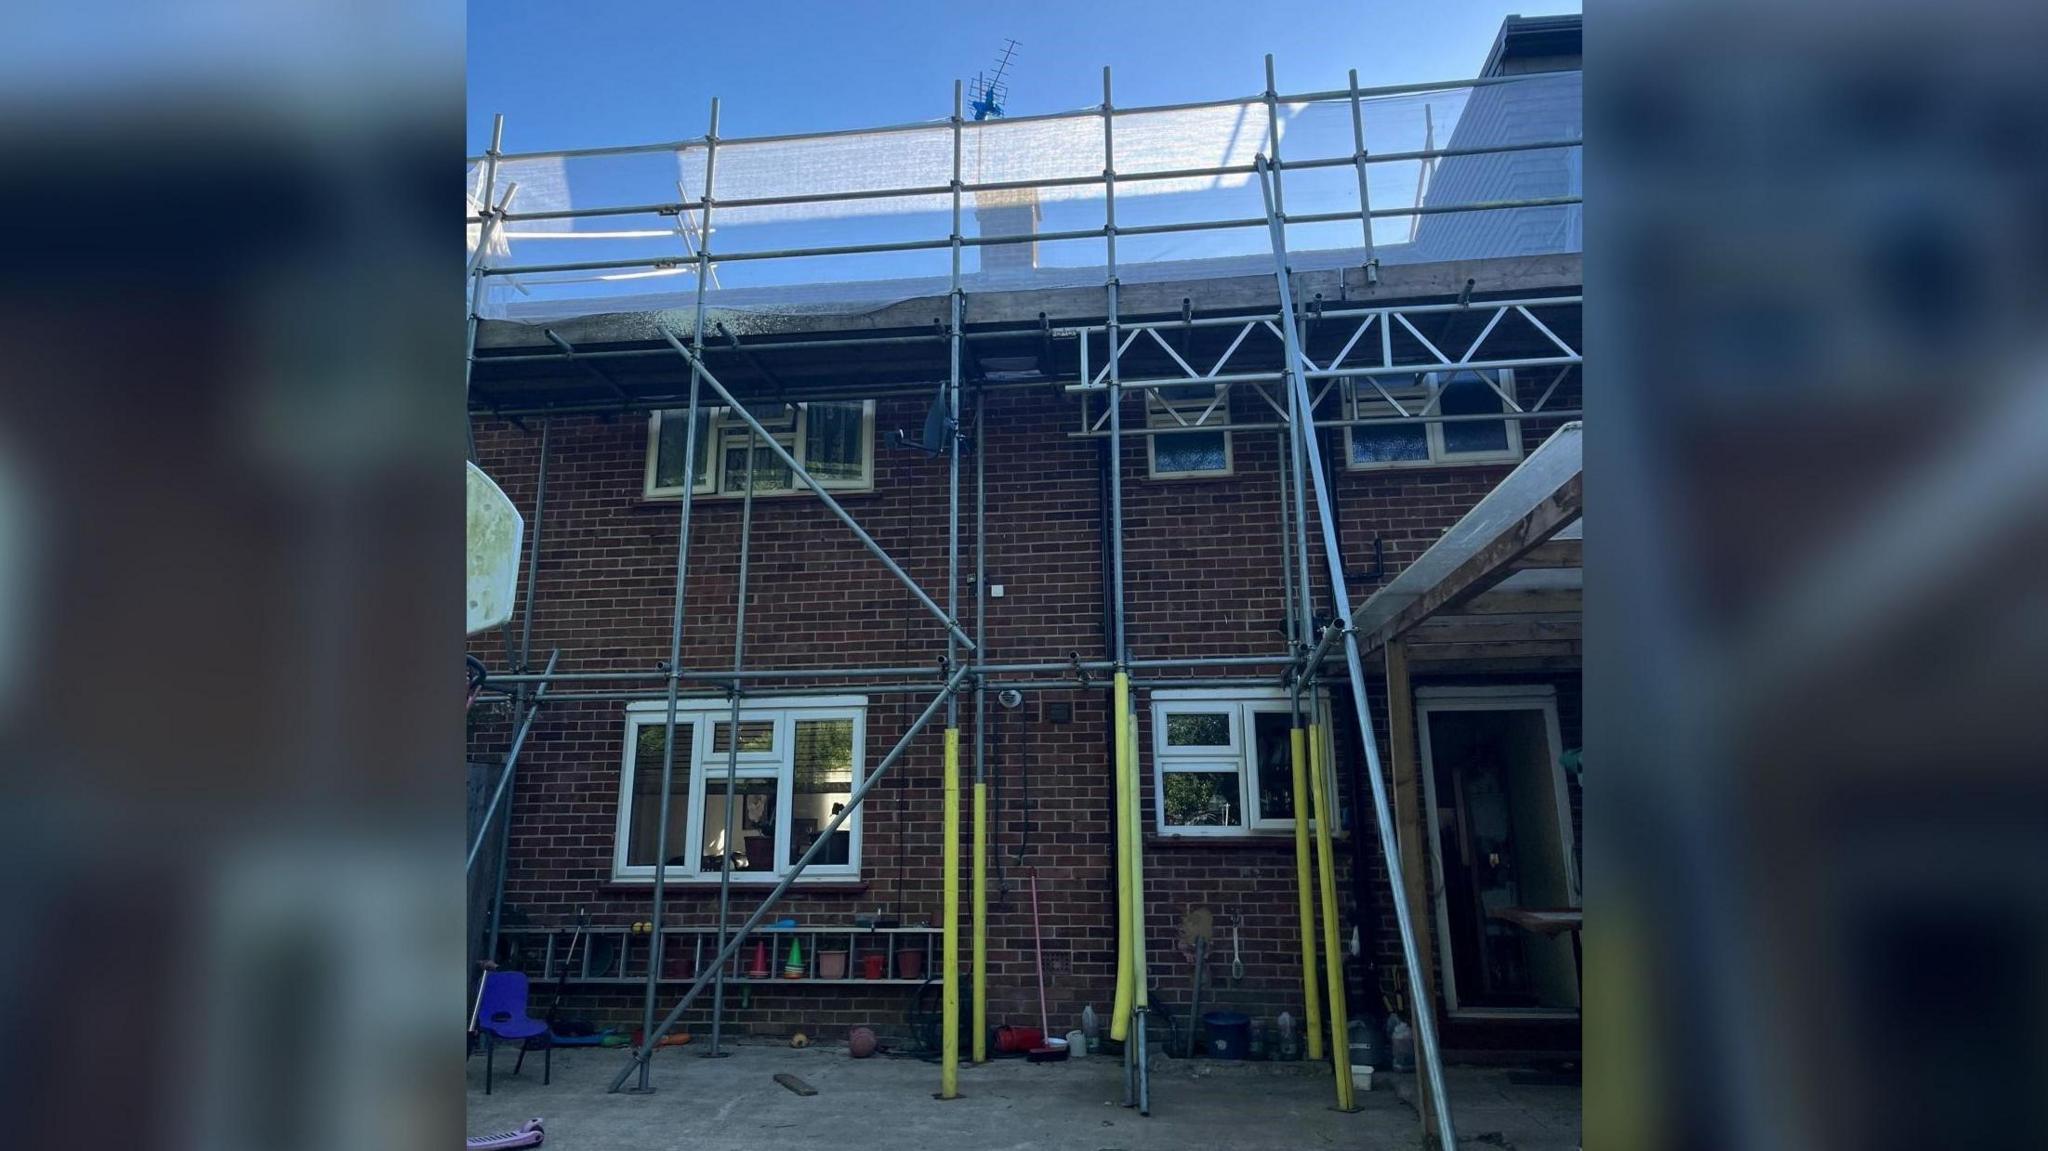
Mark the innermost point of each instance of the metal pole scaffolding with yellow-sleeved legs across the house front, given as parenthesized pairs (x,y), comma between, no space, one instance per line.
(1103,364)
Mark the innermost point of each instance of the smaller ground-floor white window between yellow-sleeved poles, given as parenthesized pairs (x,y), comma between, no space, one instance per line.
(1224,761)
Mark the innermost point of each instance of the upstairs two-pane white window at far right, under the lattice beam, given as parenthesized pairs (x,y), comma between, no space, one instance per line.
(1433,443)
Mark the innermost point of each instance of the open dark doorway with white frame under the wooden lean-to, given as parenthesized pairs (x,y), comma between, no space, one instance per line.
(1504,841)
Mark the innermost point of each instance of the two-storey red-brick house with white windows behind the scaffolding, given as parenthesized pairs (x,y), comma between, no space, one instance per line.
(1207,562)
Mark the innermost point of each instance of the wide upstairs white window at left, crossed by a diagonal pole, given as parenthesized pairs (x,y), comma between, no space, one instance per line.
(835,441)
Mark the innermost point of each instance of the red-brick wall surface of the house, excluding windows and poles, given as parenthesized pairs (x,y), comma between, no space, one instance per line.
(1203,579)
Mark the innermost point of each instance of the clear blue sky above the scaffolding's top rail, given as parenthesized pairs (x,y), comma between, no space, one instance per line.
(632,71)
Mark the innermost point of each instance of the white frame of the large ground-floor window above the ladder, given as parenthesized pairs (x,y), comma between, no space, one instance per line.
(777,765)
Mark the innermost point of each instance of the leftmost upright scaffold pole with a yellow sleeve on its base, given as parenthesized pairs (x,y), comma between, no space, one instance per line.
(949,1074)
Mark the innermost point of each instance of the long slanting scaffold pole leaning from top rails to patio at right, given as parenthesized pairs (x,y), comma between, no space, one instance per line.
(1342,601)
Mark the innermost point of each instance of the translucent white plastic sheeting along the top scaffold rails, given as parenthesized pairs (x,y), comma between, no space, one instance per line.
(1035,153)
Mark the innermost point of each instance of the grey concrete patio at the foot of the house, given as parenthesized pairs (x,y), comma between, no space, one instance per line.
(888,1103)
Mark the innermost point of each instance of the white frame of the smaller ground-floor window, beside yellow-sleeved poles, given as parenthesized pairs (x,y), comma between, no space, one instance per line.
(1242,755)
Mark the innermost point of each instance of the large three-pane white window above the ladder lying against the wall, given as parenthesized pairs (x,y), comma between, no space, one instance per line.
(796,769)
